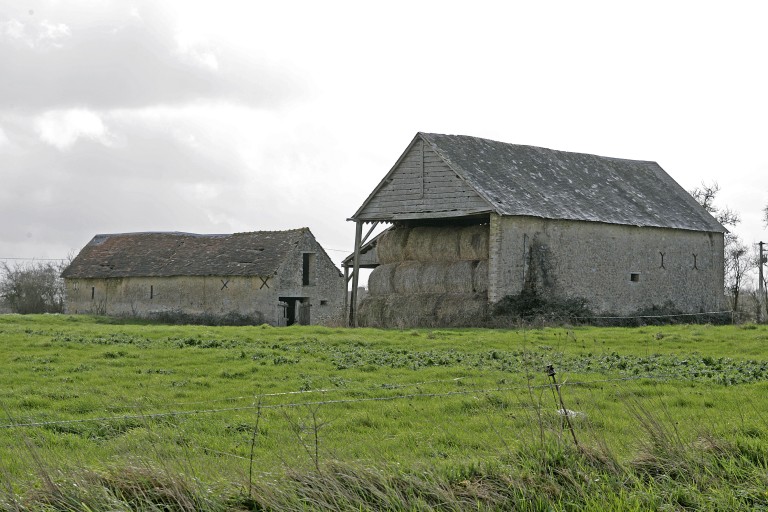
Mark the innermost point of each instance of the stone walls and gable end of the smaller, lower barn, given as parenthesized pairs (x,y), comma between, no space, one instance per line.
(249,296)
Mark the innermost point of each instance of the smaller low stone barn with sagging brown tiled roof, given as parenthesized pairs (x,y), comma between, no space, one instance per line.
(274,277)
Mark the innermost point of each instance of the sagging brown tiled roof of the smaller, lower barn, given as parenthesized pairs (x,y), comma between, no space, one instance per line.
(152,254)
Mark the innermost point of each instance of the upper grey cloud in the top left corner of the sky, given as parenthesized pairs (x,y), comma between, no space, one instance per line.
(125,62)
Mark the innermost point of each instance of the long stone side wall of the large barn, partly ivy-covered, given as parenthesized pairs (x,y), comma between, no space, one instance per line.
(618,269)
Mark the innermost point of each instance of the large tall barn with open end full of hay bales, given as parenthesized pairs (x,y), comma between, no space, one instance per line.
(473,221)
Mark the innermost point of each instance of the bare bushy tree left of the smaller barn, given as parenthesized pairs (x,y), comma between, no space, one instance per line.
(35,287)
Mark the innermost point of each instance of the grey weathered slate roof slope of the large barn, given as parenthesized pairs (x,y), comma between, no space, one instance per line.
(551,184)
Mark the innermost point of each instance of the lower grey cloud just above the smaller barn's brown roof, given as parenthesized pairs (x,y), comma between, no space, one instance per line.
(64,196)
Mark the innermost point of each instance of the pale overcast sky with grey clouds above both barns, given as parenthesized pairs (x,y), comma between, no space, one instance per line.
(218,117)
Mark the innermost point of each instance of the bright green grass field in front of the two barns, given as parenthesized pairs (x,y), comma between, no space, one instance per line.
(106,414)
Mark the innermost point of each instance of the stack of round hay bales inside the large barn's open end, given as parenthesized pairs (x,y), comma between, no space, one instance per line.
(428,276)
